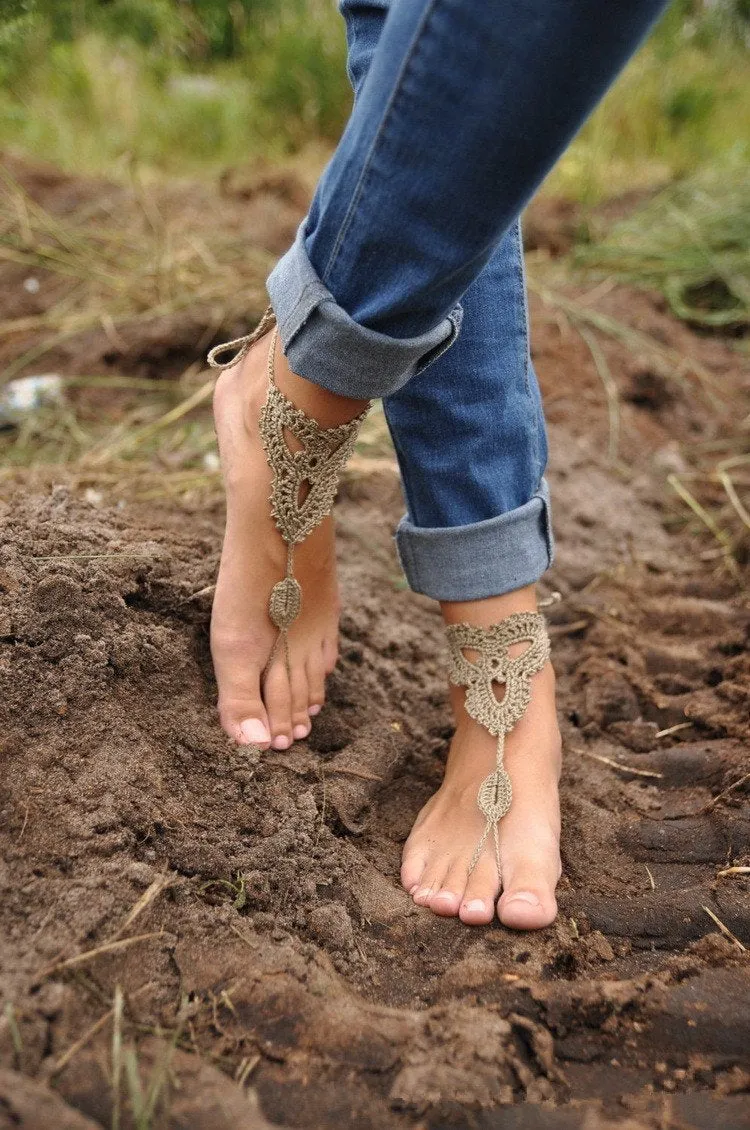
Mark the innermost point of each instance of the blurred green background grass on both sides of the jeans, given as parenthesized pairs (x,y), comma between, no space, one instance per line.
(189,89)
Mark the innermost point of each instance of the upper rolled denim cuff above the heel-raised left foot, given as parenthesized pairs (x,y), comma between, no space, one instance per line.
(326,346)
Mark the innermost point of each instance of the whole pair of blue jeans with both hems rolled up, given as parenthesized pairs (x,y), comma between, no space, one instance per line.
(406,281)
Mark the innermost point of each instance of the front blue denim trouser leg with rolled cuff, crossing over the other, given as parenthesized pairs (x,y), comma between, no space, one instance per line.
(465,109)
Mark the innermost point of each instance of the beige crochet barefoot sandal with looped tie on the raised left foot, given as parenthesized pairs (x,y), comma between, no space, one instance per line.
(306,477)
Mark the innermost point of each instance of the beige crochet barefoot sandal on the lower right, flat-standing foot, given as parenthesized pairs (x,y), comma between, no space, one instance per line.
(493,665)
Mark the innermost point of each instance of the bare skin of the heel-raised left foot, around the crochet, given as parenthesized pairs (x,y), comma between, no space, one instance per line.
(254,559)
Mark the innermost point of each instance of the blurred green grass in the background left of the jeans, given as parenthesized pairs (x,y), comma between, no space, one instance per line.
(101,101)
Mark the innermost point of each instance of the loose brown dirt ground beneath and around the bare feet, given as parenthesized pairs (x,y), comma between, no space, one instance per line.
(238,922)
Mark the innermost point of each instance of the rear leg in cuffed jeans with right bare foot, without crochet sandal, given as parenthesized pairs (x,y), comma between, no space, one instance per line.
(472,442)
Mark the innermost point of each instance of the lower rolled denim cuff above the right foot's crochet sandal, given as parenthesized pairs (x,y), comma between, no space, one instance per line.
(483,560)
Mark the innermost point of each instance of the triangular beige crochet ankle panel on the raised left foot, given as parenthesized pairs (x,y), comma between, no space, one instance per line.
(306,482)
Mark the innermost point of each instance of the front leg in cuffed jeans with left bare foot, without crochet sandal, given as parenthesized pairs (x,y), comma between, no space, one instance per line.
(390,223)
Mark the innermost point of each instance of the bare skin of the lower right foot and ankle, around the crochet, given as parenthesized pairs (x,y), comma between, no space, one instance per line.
(437,856)
